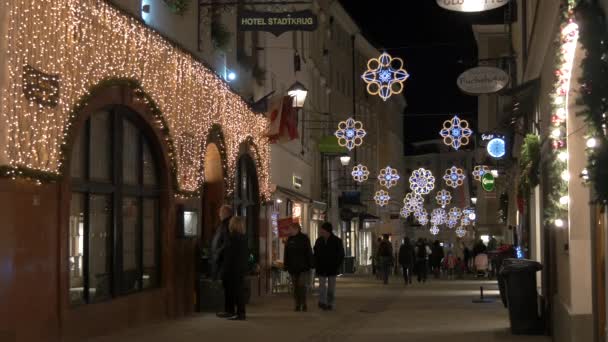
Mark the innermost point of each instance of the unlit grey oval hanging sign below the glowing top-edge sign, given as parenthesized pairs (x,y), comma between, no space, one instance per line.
(483,80)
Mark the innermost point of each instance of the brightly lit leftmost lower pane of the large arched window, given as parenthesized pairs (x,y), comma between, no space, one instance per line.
(76,246)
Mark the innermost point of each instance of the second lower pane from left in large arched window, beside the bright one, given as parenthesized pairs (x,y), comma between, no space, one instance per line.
(100,225)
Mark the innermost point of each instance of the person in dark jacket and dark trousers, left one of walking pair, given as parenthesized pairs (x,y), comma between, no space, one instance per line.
(298,262)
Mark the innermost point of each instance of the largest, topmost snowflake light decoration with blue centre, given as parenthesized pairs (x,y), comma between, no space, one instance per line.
(385,76)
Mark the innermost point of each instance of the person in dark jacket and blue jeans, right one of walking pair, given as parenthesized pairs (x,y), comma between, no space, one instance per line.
(329,255)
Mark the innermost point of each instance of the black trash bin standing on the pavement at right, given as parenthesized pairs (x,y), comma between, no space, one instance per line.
(522,299)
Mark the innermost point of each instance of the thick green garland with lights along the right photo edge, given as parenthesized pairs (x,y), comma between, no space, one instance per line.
(594,91)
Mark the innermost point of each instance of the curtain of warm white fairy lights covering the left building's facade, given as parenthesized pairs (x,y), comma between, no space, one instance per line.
(81,43)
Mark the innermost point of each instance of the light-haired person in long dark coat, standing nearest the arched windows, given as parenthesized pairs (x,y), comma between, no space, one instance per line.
(236,264)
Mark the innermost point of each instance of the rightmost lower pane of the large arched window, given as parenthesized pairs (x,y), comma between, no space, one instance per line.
(150,253)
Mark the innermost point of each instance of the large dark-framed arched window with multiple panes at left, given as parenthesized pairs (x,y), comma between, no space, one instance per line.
(114,245)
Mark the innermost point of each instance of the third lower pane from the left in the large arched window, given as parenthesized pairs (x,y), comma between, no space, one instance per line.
(130,244)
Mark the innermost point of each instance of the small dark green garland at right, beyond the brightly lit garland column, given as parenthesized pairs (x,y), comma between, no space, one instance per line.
(529,162)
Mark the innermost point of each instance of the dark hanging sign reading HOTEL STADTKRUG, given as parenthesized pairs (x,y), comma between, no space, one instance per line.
(277,23)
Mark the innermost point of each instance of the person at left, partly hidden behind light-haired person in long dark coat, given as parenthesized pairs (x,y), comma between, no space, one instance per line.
(219,243)
